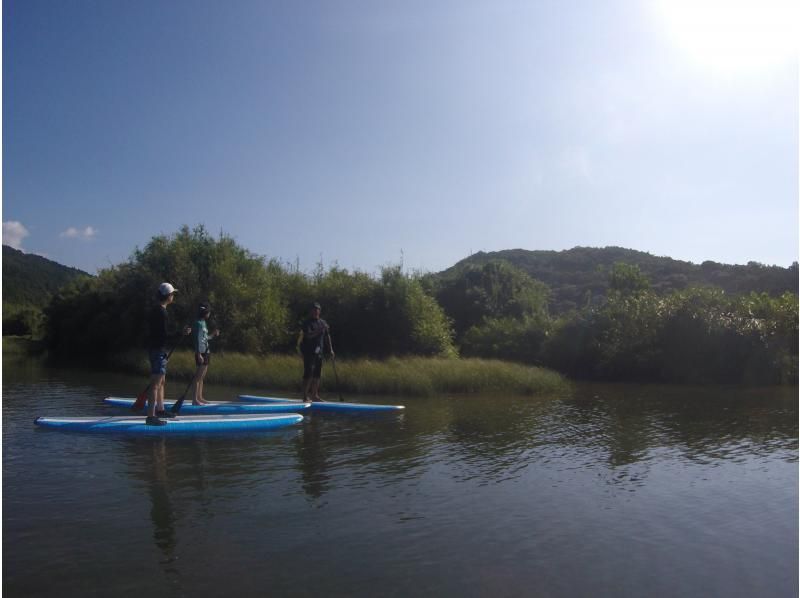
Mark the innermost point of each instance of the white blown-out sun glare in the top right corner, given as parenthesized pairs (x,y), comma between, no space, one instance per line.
(733,35)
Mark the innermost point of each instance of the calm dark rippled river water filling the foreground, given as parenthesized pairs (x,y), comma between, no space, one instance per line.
(610,491)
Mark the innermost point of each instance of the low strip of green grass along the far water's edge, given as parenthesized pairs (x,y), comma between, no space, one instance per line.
(398,376)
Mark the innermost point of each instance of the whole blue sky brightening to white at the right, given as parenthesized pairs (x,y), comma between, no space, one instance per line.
(366,134)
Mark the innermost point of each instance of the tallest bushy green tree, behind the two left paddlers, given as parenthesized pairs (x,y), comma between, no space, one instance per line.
(108,314)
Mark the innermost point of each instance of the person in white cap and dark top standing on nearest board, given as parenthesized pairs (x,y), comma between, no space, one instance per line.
(157,352)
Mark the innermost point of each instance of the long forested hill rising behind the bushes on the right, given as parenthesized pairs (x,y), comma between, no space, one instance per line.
(575,275)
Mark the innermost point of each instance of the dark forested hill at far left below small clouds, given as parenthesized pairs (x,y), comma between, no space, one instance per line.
(31,280)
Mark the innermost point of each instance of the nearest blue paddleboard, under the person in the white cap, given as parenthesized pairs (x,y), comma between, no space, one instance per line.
(198,424)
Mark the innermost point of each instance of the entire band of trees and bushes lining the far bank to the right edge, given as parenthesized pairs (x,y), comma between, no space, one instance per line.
(490,310)
